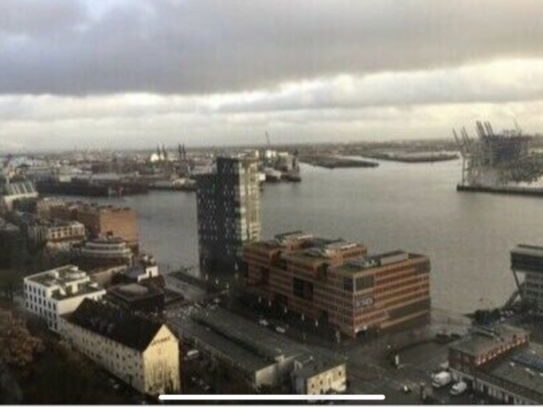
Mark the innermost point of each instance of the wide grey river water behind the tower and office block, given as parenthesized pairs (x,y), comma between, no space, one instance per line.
(413,207)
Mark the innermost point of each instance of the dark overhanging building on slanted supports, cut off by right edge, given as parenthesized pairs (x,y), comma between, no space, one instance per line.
(528,260)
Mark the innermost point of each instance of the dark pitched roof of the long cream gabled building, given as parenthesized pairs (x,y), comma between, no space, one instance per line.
(120,326)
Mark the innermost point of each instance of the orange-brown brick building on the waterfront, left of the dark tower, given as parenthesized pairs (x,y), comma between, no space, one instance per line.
(101,221)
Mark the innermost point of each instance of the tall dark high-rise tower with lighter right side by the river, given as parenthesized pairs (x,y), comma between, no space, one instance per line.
(228,203)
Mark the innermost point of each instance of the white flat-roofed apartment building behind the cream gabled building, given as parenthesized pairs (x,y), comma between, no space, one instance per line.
(59,291)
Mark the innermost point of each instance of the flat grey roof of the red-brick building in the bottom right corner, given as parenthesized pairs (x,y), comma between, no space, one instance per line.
(481,340)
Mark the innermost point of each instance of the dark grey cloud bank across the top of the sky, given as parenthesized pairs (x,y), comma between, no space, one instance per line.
(215,46)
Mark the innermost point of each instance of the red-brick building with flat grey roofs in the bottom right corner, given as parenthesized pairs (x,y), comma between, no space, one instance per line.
(500,362)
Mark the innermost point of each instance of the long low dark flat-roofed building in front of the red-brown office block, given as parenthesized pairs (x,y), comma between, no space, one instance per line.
(263,357)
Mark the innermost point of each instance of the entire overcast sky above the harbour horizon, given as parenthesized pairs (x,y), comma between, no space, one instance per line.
(131,73)
